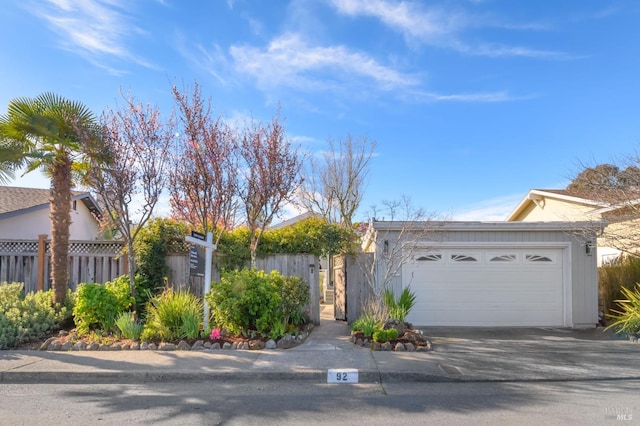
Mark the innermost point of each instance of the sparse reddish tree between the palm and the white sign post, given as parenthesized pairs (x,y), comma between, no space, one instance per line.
(138,142)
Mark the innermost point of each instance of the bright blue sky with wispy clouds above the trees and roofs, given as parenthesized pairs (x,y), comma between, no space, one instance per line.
(471,102)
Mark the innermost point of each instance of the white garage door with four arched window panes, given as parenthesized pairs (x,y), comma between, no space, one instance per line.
(486,287)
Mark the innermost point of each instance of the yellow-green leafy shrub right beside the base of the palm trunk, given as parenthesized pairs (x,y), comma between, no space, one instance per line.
(97,306)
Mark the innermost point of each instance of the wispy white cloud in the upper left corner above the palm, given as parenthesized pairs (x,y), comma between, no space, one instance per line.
(97,30)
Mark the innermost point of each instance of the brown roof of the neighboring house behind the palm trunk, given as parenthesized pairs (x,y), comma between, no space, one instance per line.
(17,200)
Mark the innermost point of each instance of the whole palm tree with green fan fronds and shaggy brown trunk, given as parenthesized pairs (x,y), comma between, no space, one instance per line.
(55,135)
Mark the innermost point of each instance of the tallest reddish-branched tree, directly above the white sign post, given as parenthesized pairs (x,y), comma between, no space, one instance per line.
(204,174)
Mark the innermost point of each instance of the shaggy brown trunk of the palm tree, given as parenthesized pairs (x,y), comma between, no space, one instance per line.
(60,204)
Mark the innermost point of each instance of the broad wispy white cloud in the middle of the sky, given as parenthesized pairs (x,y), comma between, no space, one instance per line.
(289,61)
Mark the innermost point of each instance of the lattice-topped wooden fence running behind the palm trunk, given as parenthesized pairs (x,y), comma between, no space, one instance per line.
(28,261)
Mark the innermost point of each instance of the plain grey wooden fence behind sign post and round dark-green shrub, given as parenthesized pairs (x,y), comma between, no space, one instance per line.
(302,265)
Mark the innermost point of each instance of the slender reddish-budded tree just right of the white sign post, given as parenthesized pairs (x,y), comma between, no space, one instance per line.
(271,174)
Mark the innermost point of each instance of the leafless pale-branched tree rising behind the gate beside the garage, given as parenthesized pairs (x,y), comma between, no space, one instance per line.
(334,185)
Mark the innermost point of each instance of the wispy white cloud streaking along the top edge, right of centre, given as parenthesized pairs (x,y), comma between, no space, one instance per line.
(440,27)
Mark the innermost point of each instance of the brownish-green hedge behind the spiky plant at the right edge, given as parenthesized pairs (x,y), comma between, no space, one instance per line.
(623,272)
